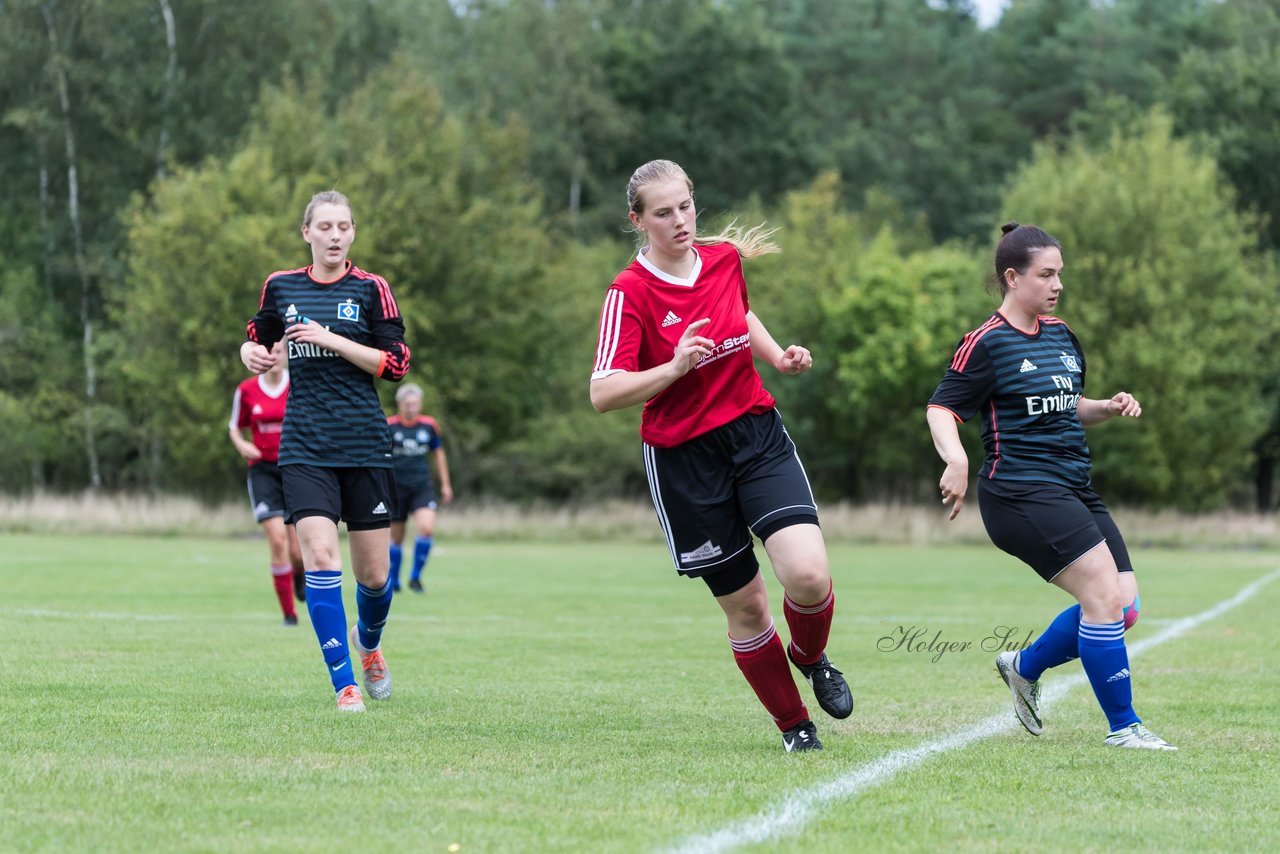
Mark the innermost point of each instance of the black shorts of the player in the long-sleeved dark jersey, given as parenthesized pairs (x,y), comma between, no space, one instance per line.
(364,499)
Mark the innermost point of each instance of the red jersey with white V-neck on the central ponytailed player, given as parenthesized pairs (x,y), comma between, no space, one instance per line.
(647,310)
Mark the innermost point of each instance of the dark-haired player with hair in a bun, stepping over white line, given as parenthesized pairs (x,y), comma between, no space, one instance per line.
(1023,371)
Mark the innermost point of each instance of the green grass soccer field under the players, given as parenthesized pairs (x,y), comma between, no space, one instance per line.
(584,698)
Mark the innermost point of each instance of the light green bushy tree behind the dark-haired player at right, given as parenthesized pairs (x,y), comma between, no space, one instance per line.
(1172,303)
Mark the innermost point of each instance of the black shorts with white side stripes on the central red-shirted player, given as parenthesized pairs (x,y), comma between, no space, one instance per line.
(715,491)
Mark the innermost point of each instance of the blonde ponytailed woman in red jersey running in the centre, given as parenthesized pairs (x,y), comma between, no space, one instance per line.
(678,335)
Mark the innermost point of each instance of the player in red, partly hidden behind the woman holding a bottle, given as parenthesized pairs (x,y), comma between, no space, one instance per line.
(258,407)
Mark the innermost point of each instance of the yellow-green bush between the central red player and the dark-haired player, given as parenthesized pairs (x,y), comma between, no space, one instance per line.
(881,318)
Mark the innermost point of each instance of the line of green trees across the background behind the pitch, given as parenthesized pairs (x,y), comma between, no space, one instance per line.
(157,158)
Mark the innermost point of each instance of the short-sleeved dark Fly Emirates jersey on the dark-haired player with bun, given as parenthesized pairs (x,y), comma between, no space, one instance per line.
(1027,387)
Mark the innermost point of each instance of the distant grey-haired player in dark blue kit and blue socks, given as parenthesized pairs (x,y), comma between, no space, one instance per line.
(415,437)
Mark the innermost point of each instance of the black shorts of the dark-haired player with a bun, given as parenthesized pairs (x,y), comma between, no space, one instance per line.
(1049,527)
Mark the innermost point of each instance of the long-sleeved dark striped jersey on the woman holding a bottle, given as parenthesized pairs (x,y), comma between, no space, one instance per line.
(335,417)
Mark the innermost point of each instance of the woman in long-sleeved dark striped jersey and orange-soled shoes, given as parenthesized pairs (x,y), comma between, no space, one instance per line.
(342,328)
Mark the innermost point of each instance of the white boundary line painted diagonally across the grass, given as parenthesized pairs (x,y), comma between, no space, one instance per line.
(801,807)
